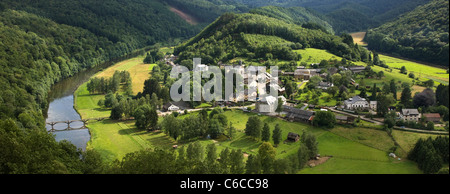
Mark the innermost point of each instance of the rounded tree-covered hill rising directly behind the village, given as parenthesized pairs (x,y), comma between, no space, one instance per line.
(261,38)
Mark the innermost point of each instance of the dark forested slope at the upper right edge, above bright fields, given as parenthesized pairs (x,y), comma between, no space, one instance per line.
(422,34)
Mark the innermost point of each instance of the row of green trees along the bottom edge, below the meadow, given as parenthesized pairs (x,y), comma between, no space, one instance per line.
(194,158)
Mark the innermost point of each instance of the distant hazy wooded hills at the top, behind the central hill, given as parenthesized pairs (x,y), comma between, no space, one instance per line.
(344,15)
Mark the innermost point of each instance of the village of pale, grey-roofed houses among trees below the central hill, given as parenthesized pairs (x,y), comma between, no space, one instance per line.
(347,111)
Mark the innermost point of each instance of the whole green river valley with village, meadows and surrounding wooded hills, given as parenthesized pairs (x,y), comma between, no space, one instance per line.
(346,104)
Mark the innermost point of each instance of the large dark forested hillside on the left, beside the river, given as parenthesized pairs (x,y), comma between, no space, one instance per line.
(42,42)
